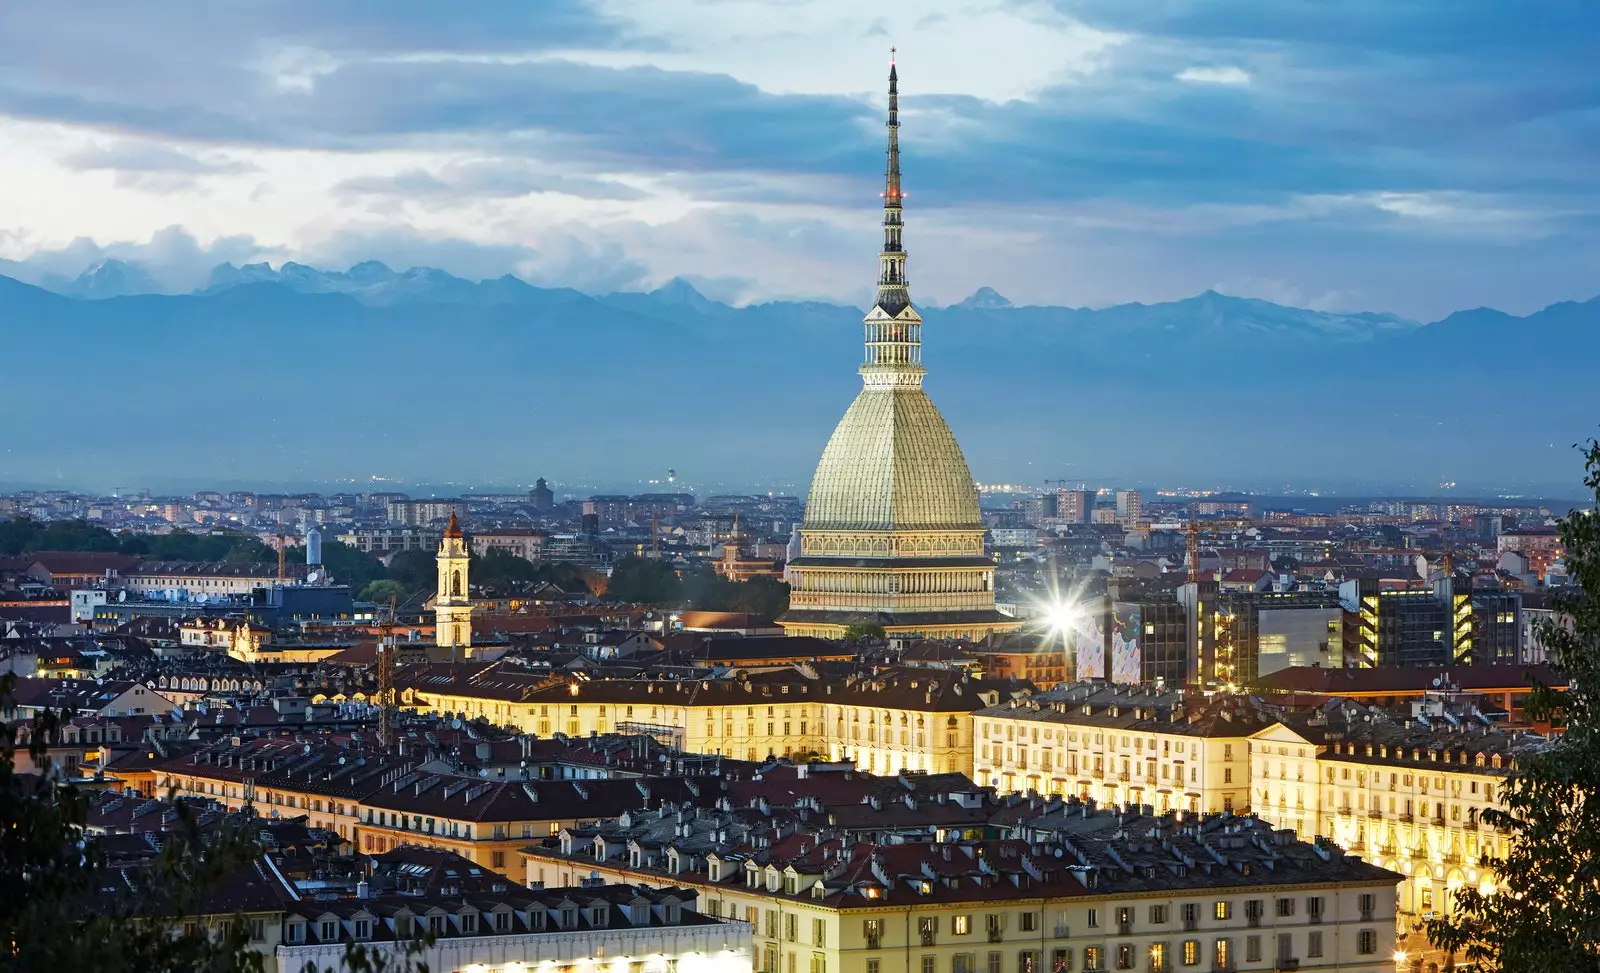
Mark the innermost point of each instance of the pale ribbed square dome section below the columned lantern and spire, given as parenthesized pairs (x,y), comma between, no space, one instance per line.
(892,463)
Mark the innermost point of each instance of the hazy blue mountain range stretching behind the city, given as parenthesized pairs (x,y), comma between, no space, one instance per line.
(300,372)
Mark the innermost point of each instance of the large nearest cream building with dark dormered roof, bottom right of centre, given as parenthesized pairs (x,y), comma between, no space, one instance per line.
(1087,889)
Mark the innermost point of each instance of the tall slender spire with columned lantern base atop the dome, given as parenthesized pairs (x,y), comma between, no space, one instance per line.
(894,326)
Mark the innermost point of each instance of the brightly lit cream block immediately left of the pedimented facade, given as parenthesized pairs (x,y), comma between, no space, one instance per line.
(1122,745)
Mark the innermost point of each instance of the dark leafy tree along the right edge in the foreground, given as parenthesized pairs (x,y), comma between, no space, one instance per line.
(1545,918)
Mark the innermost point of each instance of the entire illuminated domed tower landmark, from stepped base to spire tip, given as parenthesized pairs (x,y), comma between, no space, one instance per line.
(892,534)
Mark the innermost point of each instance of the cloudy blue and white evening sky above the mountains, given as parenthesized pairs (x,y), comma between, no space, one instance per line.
(1367,154)
